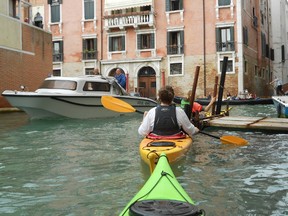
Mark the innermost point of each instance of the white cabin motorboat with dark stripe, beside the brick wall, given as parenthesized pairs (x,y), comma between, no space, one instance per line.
(74,97)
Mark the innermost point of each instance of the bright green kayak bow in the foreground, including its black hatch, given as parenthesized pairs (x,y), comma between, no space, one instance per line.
(162,194)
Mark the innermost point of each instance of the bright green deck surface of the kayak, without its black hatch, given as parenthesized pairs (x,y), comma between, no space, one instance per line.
(161,186)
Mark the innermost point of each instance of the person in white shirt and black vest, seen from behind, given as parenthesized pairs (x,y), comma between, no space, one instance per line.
(166,119)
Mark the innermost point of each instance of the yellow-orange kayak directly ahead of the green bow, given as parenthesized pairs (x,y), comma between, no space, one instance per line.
(175,148)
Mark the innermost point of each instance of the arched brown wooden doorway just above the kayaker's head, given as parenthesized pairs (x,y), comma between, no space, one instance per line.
(147,82)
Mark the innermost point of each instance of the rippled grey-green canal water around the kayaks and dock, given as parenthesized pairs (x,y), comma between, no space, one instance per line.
(92,167)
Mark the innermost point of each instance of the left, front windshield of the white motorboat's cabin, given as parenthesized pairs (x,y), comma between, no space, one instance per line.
(59,84)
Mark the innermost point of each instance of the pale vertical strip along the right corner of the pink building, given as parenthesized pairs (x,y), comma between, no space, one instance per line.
(240,47)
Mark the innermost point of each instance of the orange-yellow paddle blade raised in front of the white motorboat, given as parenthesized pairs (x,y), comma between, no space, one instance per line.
(116,104)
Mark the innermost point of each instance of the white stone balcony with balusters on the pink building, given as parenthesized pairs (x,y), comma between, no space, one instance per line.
(134,19)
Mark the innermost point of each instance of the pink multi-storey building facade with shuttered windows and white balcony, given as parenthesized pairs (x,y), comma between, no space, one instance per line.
(156,43)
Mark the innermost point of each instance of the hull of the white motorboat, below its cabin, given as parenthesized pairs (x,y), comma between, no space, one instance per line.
(70,106)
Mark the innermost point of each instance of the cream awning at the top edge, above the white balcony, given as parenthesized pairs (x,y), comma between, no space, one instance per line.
(122,4)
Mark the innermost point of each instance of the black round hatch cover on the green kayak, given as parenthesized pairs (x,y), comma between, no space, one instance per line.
(163,207)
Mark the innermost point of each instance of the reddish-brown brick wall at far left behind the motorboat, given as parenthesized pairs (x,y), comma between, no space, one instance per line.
(29,66)
